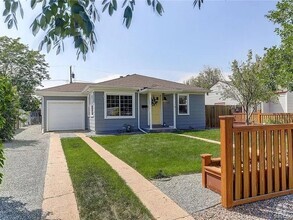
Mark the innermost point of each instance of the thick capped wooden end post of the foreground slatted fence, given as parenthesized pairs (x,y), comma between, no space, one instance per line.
(226,126)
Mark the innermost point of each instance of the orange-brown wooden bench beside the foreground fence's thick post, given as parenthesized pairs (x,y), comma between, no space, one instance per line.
(211,173)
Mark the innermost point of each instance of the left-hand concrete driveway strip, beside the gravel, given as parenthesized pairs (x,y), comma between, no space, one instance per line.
(59,199)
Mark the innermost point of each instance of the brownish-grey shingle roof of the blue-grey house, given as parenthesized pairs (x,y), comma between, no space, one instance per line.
(130,81)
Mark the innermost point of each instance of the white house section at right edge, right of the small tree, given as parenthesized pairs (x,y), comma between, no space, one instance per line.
(284,104)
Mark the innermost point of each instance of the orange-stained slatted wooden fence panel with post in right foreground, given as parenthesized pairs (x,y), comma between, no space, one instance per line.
(256,162)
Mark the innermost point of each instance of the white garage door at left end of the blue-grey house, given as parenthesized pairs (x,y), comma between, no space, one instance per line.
(65,115)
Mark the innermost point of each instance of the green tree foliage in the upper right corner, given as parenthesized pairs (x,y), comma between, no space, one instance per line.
(279,59)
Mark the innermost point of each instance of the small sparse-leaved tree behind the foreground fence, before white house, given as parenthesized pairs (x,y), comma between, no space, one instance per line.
(247,85)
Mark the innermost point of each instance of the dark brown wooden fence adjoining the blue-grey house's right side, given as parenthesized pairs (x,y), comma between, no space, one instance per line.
(214,111)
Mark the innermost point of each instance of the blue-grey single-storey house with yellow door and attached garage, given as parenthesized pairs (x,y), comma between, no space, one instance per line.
(135,101)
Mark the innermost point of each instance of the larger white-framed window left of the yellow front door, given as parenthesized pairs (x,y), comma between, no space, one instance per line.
(119,106)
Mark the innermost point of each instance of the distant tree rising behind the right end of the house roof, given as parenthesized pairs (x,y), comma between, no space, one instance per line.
(206,78)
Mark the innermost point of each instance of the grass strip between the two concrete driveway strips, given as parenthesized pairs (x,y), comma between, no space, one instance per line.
(100,192)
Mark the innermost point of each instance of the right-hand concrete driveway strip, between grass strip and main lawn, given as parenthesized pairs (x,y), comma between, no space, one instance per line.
(159,205)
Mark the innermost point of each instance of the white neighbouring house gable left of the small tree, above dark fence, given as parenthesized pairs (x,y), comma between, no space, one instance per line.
(214,97)
